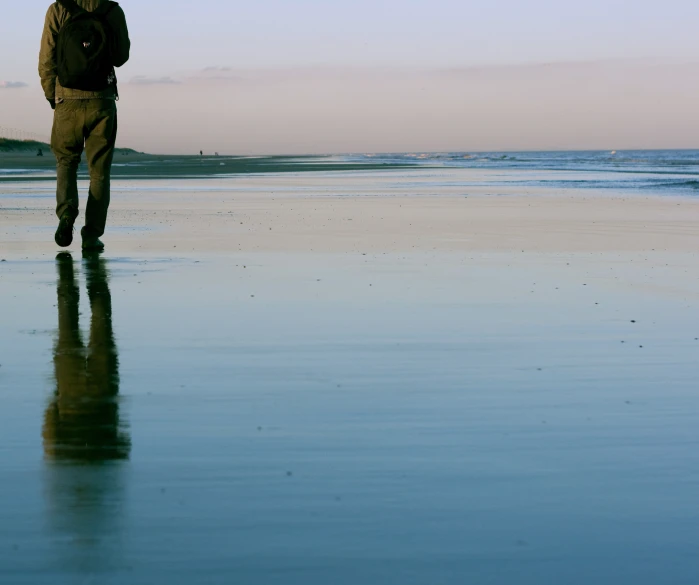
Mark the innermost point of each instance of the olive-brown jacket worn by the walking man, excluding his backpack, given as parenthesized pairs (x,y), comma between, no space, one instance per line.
(55,18)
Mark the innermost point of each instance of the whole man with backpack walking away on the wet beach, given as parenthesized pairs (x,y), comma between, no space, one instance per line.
(82,43)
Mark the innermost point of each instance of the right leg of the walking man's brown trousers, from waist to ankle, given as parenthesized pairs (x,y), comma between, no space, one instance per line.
(100,138)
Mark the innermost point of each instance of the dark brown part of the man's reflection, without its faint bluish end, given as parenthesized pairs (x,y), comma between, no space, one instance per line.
(82,421)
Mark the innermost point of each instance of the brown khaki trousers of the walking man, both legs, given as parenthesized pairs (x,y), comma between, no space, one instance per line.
(90,125)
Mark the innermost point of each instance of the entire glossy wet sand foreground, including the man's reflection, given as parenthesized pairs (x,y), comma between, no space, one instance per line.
(367,377)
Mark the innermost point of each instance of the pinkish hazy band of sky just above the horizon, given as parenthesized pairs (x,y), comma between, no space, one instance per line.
(596,105)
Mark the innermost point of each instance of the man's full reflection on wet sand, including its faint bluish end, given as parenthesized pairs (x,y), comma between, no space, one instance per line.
(84,440)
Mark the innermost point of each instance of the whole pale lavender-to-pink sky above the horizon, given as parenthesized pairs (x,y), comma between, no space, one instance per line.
(308,76)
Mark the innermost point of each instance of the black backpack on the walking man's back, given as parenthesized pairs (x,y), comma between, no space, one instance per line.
(84,48)
